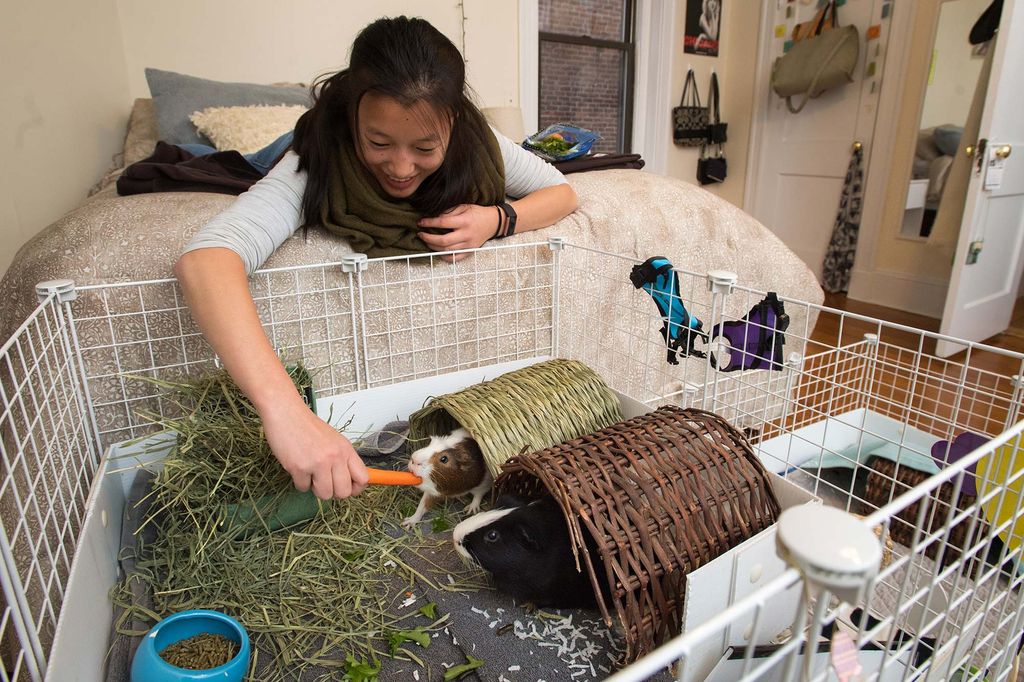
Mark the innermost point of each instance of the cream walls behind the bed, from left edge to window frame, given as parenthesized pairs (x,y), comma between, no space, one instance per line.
(71,71)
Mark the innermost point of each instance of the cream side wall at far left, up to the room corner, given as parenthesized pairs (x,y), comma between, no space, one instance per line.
(66,104)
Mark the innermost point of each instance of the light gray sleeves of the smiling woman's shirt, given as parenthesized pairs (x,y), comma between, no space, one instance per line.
(271,211)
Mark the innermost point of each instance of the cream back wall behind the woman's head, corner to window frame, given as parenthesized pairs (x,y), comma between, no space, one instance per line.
(266,41)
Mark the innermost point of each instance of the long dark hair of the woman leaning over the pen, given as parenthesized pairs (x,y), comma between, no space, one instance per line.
(409,61)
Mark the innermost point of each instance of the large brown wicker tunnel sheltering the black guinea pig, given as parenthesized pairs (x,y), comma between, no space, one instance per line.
(662,495)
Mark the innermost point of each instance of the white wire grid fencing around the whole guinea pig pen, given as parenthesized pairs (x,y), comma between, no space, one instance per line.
(841,400)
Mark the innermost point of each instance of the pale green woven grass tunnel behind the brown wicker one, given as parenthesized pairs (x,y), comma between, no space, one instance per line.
(526,410)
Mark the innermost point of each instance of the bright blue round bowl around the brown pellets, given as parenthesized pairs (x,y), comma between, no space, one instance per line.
(148,666)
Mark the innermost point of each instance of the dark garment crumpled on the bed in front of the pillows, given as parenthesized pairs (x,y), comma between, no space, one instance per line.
(173,169)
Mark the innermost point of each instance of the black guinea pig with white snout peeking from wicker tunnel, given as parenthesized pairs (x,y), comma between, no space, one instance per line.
(527,548)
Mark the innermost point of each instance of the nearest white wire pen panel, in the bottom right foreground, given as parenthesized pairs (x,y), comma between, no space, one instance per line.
(915,621)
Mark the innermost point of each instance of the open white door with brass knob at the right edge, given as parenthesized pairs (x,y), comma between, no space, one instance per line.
(984,285)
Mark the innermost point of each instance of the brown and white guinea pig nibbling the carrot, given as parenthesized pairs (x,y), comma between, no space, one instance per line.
(450,466)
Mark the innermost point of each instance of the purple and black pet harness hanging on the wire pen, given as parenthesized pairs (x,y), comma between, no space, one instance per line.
(757,339)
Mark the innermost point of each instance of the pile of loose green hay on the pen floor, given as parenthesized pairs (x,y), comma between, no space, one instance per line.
(329,595)
